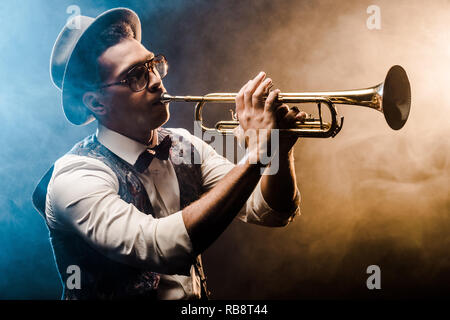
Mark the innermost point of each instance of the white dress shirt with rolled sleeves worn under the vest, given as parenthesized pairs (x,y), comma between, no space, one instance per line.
(82,197)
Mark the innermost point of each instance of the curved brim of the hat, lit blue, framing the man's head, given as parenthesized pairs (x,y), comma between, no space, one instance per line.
(74,109)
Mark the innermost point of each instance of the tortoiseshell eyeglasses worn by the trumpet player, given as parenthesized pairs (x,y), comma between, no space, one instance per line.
(137,77)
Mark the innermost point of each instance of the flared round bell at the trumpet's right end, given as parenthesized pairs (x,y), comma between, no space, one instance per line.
(396,101)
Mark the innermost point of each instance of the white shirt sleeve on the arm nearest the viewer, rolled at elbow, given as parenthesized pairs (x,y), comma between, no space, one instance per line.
(83,198)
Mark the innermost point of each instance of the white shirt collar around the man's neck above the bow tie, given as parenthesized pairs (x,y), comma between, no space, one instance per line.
(124,147)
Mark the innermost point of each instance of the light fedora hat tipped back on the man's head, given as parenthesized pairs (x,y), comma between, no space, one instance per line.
(63,68)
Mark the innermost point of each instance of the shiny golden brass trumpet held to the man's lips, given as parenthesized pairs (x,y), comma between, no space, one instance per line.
(391,97)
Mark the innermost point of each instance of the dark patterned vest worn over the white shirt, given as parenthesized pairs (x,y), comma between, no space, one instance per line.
(101,277)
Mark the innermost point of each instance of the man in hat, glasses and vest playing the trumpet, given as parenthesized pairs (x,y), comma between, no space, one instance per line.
(122,205)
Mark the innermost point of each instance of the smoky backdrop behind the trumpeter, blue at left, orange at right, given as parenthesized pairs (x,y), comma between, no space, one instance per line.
(370,196)
